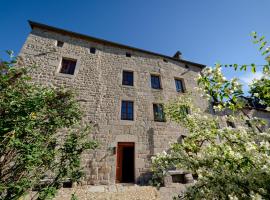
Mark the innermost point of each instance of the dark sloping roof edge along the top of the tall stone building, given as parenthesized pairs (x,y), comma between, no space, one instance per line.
(98,40)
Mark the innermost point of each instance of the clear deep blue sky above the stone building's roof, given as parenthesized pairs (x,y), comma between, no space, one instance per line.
(205,31)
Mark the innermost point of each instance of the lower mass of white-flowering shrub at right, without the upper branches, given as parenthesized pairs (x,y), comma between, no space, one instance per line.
(231,163)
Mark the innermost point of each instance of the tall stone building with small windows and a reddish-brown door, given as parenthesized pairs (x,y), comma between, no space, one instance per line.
(121,90)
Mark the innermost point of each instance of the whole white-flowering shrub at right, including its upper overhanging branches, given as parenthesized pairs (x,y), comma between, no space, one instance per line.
(231,163)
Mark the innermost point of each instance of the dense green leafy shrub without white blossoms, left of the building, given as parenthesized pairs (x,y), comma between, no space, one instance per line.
(40,134)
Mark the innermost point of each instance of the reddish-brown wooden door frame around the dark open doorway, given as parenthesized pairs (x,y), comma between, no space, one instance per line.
(119,160)
